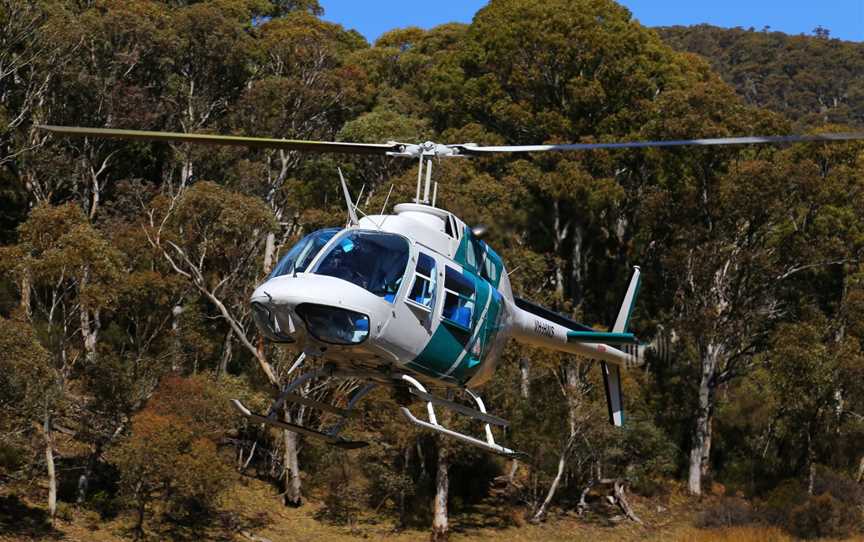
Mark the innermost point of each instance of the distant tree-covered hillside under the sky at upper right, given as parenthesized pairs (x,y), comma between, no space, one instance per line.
(810,79)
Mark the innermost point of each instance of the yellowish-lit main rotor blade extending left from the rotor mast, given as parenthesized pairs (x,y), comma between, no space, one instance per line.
(209,139)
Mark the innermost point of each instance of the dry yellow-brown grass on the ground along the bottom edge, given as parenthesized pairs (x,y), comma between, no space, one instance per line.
(253,507)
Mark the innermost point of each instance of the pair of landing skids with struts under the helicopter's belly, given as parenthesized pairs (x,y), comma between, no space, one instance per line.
(331,435)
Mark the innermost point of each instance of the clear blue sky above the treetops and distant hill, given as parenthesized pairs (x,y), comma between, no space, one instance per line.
(844,18)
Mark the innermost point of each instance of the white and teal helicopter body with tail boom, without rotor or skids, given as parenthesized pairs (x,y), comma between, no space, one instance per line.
(415,292)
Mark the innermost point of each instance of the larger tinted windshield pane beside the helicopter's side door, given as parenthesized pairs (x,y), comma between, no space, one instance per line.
(375,261)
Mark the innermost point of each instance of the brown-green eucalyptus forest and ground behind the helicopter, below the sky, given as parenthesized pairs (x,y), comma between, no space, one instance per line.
(126,270)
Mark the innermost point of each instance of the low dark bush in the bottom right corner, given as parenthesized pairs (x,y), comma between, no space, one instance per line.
(824,516)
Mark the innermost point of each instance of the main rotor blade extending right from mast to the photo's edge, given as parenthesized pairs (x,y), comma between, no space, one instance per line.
(472,150)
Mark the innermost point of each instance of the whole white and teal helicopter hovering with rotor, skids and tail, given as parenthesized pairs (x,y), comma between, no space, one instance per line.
(416,300)
